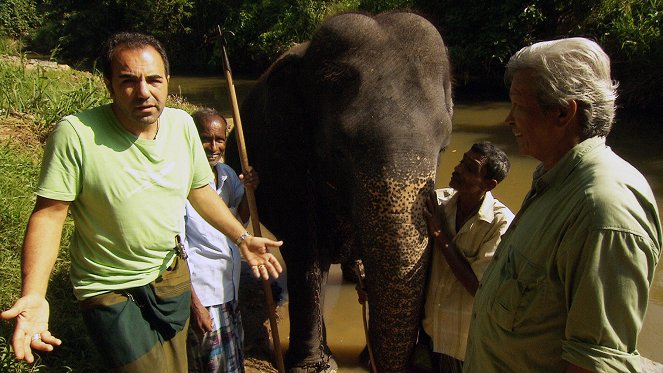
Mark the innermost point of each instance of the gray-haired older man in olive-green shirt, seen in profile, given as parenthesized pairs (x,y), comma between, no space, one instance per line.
(569,284)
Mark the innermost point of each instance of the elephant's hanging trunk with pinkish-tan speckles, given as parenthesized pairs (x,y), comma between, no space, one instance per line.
(393,245)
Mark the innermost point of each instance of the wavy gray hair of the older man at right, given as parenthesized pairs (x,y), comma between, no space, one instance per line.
(571,69)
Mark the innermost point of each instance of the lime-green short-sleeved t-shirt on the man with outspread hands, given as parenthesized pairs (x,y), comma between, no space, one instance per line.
(127,194)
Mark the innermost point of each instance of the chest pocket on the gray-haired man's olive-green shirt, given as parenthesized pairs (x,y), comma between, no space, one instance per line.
(521,292)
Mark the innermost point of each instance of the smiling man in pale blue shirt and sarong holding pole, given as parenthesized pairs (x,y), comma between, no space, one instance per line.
(216,337)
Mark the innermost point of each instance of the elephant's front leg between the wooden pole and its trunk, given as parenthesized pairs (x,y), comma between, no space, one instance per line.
(308,351)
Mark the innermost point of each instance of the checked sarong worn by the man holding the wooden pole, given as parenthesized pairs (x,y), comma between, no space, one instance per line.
(219,351)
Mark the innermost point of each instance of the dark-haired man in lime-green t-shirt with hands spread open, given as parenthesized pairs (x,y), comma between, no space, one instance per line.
(124,170)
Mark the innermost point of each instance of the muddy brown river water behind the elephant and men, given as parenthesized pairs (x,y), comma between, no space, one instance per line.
(637,143)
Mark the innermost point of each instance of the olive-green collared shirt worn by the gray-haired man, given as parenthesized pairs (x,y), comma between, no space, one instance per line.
(570,280)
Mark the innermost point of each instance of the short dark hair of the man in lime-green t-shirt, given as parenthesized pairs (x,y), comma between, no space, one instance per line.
(130,40)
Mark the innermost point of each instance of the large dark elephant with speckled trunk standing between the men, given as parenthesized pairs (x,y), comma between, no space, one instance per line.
(346,131)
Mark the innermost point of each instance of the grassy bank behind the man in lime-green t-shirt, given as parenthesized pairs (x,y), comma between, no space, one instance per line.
(32,100)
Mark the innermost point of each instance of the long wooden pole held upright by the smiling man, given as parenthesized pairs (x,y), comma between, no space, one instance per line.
(250,198)
